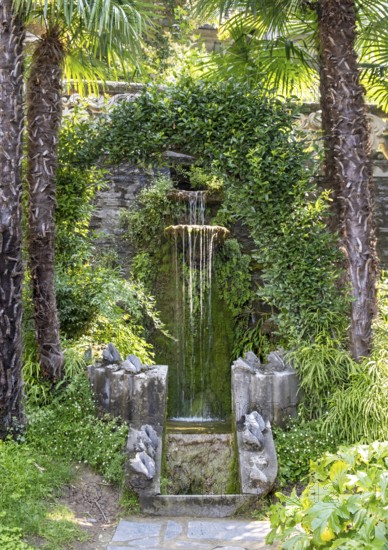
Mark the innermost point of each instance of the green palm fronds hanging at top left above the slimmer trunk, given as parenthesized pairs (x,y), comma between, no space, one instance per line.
(105,32)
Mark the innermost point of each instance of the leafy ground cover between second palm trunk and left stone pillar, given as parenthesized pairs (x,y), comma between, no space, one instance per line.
(68,429)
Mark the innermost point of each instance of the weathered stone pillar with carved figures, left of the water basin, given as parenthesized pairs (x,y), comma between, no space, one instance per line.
(137,393)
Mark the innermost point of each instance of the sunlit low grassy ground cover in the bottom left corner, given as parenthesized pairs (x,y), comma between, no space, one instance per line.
(29,482)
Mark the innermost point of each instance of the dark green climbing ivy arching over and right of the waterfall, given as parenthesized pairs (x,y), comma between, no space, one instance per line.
(248,140)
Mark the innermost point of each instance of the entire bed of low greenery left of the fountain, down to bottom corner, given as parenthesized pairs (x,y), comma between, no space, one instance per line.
(33,471)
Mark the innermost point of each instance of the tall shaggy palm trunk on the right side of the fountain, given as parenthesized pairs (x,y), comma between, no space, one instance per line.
(348,162)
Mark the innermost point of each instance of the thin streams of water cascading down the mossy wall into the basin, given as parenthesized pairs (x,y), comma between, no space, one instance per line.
(194,374)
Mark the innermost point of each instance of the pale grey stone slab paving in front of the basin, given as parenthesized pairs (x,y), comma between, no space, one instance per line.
(190,534)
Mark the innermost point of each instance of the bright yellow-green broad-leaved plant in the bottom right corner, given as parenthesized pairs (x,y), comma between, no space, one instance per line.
(343,506)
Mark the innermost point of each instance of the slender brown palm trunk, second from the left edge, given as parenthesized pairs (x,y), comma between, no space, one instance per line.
(44,110)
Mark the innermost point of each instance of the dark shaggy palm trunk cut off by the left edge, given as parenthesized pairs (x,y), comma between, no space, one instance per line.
(11,273)
